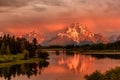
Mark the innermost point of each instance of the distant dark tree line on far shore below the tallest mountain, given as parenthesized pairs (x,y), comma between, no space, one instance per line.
(99,46)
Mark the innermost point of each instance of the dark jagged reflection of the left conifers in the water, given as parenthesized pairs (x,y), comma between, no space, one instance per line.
(27,69)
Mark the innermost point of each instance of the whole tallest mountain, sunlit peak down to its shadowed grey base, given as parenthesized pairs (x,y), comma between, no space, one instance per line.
(77,35)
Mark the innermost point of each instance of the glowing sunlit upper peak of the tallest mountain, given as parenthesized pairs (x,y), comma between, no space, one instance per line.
(76,32)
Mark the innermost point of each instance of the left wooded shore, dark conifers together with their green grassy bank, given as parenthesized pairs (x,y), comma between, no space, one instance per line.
(14,49)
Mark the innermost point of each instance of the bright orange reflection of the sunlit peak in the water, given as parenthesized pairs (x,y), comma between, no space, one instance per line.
(77,63)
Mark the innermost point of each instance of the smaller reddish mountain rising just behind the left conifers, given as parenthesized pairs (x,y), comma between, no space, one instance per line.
(31,35)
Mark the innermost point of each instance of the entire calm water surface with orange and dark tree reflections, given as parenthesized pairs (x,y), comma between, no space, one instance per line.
(62,65)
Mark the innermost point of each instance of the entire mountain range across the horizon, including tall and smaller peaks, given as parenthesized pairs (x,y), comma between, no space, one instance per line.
(74,34)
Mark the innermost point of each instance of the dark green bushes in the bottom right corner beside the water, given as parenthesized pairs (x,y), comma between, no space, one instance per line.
(113,74)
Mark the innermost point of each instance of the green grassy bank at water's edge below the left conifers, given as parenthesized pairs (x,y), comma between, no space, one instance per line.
(15,59)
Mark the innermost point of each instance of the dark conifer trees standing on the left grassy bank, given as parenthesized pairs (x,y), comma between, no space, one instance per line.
(16,45)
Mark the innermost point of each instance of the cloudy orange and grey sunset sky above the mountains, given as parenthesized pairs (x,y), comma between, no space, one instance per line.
(49,16)
